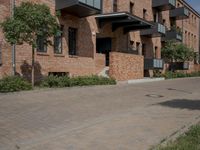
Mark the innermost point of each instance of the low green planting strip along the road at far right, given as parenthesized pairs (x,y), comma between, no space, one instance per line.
(173,75)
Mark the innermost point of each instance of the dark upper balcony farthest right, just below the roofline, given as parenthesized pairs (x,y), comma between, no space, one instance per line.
(179,13)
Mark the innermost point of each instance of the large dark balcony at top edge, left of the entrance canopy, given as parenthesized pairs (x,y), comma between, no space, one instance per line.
(80,8)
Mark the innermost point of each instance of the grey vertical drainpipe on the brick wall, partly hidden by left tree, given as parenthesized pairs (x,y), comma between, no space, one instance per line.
(13,45)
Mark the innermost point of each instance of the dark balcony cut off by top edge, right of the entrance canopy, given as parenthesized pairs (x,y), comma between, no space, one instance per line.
(163,5)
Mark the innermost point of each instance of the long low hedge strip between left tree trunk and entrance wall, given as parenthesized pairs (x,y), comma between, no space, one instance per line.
(64,81)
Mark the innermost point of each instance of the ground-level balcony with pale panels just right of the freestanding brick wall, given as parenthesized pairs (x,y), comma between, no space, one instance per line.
(151,64)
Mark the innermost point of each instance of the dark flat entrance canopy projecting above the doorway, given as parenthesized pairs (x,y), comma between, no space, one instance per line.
(125,20)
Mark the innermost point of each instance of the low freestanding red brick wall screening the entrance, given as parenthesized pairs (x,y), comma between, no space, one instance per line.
(126,66)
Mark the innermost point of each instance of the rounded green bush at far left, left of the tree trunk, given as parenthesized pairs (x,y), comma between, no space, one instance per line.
(13,84)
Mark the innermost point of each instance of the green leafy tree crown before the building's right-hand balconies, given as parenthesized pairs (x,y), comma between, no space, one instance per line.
(177,52)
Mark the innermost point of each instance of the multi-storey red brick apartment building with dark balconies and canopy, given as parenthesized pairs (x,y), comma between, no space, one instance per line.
(122,36)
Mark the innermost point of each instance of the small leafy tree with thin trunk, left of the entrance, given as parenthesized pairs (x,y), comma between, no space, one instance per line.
(29,22)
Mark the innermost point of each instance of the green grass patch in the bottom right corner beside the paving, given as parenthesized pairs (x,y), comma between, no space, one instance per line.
(188,141)
